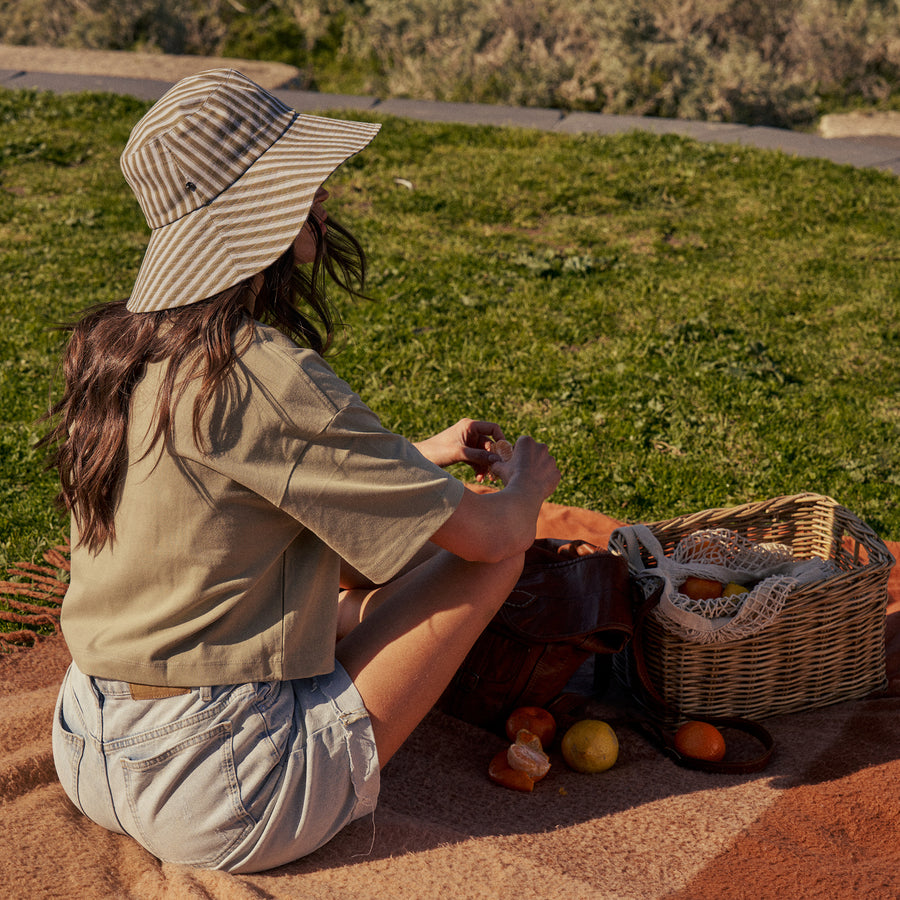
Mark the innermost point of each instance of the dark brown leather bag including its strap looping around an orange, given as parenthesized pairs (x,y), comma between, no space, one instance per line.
(573,601)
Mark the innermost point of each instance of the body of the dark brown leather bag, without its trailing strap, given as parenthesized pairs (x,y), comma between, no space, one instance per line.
(571,601)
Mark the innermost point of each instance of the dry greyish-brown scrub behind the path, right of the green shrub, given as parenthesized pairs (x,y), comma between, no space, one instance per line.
(758,62)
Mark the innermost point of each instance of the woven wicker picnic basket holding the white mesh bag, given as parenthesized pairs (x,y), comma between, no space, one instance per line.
(826,644)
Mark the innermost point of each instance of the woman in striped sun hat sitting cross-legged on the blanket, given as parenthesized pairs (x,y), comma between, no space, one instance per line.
(226,486)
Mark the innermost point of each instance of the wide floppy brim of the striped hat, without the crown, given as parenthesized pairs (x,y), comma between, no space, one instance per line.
(249,225)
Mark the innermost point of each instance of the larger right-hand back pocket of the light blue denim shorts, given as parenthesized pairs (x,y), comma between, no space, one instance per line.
(186,802)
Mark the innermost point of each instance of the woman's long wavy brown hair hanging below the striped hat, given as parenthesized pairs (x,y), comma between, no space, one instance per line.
(109,349)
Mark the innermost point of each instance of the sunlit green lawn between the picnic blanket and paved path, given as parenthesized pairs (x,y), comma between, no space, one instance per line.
(687,325)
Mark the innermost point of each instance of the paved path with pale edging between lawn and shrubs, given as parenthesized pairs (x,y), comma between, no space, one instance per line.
(93,74)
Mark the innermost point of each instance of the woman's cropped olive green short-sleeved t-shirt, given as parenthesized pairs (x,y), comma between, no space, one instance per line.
(225,563)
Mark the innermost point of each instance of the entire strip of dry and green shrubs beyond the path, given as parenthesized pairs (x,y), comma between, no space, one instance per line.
(776,62)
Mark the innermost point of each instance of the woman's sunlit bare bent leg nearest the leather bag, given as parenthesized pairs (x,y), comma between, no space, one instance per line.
(415,633)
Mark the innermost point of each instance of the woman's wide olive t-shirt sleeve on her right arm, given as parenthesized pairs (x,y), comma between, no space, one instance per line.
(294,433)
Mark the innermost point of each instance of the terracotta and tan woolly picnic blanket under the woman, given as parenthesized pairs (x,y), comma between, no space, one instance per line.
(821,821)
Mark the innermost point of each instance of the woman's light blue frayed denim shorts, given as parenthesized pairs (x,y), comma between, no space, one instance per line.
(241,778)
